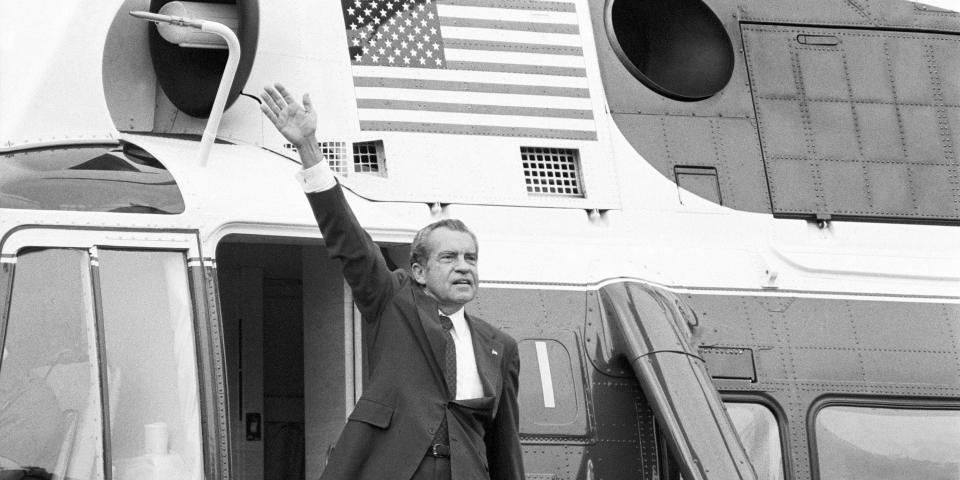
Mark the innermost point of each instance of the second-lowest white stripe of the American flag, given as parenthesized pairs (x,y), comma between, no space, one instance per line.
(475,98)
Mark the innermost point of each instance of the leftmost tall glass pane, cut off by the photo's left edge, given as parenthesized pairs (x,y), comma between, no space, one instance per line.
(50,411)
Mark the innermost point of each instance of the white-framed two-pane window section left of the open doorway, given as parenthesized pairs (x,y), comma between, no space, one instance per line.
(99,377)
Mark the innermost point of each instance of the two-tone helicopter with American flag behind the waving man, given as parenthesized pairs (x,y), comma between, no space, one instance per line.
(723,232)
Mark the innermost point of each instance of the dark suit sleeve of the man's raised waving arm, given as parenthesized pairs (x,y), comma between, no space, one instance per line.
(363,265)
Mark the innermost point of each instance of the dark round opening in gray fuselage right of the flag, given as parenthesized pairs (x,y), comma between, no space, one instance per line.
(678,48)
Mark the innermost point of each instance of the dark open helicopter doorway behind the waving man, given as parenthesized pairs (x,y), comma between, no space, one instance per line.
(288,328)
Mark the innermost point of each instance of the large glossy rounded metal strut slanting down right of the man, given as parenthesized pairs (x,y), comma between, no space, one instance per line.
(654,333)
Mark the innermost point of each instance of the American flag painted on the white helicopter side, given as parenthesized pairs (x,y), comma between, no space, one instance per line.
(473,67)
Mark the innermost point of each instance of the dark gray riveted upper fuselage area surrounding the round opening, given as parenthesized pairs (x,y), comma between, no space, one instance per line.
(853,154)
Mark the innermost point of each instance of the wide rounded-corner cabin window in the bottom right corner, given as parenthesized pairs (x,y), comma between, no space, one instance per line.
(856,442)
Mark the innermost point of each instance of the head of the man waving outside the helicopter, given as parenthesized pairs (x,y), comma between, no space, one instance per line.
(450,273)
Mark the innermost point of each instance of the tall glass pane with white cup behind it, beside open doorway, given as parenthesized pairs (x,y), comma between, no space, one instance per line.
(151,365)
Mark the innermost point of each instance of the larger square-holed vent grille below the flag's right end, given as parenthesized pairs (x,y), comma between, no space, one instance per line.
(552,171)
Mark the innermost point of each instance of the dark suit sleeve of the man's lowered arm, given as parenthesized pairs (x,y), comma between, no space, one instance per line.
(504,454)
